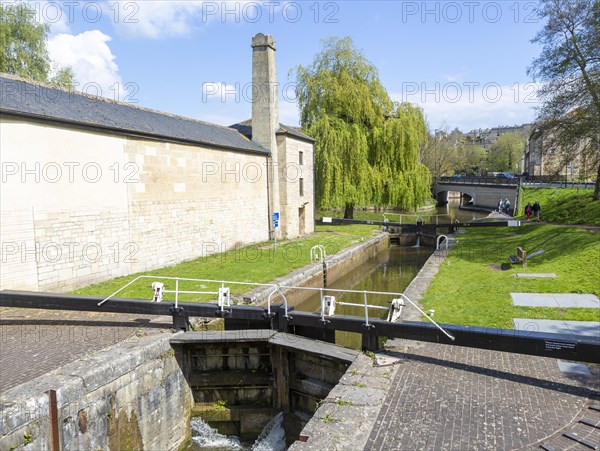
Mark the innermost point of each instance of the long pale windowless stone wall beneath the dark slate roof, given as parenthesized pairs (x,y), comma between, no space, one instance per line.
(80,207)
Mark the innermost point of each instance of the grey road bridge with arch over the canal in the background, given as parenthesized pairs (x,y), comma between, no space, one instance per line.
(482,191)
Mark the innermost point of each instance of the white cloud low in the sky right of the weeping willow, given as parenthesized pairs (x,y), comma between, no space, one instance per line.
(470,106)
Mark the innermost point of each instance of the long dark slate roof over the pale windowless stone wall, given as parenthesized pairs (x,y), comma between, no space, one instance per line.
(35,100)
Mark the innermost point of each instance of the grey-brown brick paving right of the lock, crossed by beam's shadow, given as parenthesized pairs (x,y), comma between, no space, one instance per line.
(453,398)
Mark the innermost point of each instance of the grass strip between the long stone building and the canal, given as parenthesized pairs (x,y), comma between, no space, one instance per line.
(253,263)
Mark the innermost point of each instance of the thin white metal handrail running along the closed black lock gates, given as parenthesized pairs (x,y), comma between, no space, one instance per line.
(278,289)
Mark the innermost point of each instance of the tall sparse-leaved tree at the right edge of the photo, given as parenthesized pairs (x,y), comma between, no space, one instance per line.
(569,68)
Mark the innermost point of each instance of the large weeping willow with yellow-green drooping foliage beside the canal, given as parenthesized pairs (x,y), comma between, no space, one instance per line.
(367,147)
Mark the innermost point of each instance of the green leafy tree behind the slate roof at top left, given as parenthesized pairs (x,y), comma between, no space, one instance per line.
(24,51)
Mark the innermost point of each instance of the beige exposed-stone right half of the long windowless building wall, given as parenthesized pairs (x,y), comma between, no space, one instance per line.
(192,202)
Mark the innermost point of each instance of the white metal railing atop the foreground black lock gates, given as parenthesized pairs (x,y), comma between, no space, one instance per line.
(223,294)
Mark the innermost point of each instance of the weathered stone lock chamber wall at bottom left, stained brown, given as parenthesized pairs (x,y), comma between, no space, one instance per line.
(130,396)
